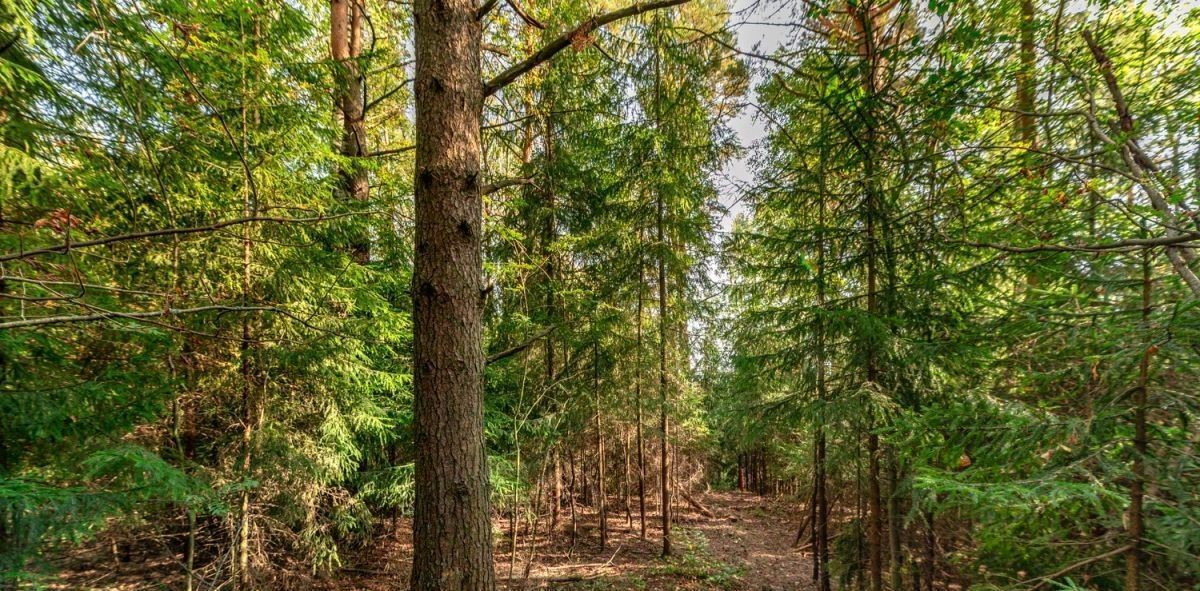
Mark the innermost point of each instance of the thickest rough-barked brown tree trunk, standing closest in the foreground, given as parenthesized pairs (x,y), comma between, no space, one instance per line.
(452,527)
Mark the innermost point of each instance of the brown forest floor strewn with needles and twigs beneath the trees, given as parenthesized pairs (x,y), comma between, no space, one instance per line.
(747,545)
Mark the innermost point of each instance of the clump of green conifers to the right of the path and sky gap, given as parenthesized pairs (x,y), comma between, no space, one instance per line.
(963,300)
